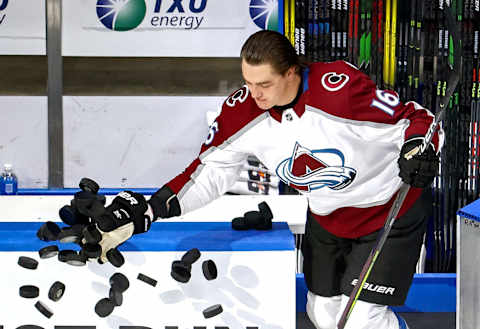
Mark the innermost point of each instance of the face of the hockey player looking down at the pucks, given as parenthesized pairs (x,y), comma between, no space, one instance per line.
(267,87)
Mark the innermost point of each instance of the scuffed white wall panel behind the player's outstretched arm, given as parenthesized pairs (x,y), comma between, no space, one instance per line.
(132,141)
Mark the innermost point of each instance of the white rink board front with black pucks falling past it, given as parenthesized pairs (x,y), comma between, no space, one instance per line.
(254,288)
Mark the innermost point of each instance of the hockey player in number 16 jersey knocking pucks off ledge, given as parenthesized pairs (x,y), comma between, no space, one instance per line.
(328,132)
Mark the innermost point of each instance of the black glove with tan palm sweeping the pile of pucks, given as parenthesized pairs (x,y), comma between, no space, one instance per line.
(128,214)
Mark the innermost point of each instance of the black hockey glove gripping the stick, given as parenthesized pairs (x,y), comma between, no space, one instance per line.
(417,170)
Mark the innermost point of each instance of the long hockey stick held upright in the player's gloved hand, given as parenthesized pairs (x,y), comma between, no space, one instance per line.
(404,188)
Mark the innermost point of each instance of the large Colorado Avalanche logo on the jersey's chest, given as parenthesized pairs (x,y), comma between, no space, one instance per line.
(305,171)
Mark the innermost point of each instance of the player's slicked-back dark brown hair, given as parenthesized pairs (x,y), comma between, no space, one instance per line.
(270,47)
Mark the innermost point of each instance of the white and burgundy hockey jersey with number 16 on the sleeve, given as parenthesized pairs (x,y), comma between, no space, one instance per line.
(338,144)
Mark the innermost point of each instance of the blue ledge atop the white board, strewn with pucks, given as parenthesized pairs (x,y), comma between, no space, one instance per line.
(163,236)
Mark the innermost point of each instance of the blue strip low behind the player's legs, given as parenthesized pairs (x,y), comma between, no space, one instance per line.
(430,292)
